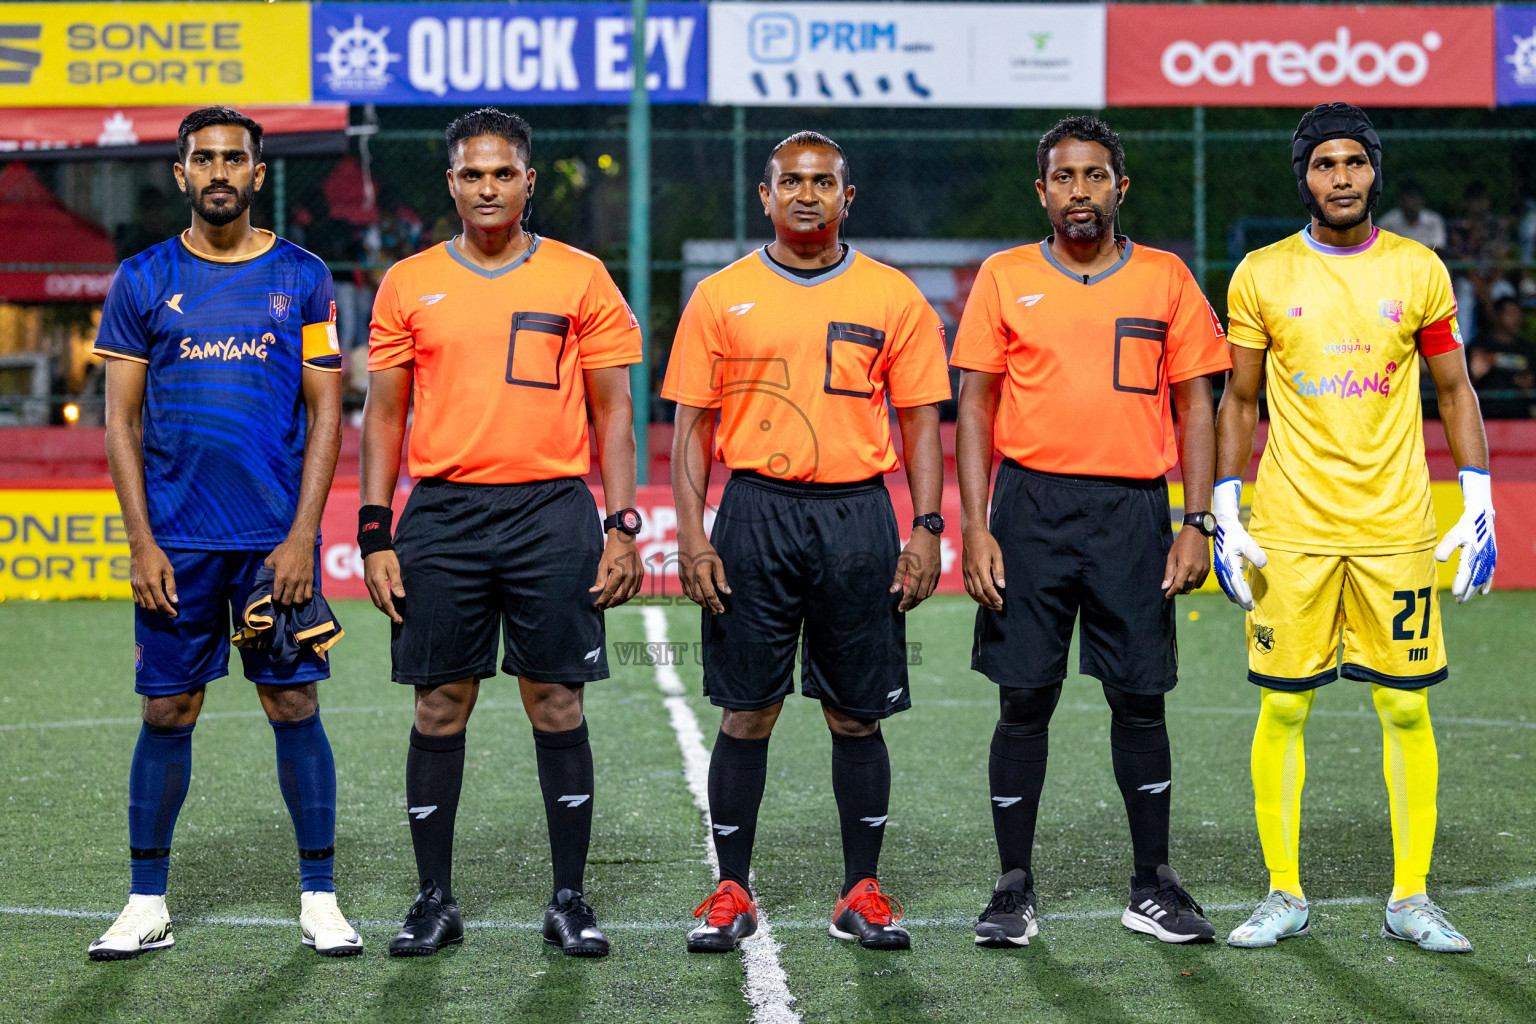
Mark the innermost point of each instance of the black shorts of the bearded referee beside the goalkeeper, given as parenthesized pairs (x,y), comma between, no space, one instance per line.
(1087,544)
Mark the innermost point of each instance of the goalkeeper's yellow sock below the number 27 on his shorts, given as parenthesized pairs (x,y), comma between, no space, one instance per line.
(1412,770)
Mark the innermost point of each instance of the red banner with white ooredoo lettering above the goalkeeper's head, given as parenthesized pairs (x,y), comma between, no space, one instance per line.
(1228,55)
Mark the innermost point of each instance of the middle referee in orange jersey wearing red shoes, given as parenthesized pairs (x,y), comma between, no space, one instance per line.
(798,349)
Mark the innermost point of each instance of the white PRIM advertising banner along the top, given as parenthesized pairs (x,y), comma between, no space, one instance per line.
(907,55)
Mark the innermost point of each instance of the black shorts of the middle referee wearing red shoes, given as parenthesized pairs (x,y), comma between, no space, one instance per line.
(816,558)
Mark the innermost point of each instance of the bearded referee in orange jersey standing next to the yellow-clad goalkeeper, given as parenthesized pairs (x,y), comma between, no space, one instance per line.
(1071,349)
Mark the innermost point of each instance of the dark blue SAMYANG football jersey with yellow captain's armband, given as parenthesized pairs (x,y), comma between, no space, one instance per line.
(227,345)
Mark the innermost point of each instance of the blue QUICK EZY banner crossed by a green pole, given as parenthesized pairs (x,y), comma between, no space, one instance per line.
(494,53)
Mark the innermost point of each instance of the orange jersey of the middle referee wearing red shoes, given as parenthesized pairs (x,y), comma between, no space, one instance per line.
(801,368)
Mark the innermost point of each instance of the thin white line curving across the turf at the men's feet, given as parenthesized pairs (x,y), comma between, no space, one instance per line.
(956,920)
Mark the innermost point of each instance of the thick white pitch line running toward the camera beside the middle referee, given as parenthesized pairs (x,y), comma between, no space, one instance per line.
(767,985)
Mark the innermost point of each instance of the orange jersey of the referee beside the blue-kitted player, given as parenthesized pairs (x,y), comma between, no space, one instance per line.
(500,395)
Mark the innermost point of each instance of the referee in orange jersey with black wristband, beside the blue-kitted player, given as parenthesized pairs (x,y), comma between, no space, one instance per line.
(506,343)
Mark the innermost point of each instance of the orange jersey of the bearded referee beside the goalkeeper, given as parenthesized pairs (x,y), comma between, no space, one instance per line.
(1088,363)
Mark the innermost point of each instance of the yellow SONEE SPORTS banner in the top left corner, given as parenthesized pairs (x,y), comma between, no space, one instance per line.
(144,55)
